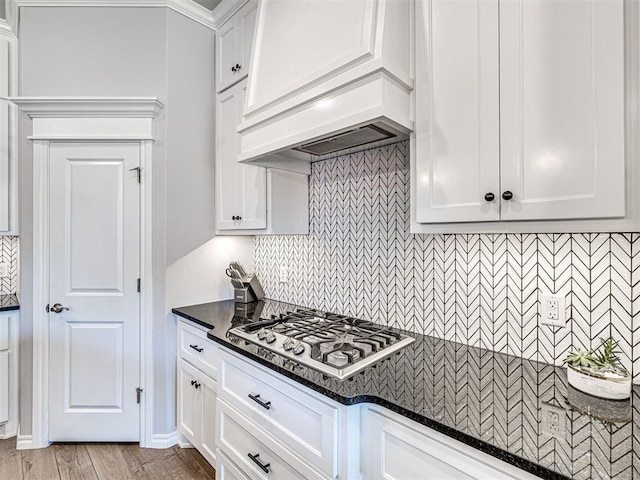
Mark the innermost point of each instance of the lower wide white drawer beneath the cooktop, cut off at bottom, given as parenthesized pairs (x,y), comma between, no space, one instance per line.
(239,438)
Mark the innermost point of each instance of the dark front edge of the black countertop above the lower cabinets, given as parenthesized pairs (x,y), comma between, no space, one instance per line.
(476,443)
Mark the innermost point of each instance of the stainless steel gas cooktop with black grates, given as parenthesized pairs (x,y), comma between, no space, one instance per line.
(335,345)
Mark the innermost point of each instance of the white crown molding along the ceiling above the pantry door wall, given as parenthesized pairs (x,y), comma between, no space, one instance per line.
(188,8)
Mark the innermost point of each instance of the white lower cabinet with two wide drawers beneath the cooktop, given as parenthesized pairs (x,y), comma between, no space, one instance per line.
(264,418)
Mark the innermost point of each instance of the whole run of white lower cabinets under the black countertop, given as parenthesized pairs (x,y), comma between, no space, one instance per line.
(262,425)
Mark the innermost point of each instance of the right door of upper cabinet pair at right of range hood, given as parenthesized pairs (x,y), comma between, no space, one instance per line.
(562,108)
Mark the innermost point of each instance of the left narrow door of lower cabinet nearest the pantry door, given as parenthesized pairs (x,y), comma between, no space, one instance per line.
(188,403)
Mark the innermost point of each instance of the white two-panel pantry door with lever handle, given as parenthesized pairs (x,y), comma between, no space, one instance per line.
(94,268)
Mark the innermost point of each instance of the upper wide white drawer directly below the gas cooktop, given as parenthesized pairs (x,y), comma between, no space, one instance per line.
(304,422)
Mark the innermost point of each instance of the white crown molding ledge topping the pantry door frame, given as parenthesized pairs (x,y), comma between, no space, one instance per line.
(95,107)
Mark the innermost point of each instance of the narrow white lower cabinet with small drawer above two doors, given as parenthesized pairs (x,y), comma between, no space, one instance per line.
(197,391)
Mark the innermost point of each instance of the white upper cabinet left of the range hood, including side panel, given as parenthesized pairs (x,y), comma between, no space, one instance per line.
(250,199)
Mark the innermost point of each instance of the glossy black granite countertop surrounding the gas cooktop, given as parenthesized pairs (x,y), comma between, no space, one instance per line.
(494,402)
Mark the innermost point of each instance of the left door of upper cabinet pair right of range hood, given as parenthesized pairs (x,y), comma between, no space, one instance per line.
(457,114)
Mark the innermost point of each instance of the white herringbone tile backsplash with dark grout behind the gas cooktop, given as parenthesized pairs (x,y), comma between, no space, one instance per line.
(478,289)
